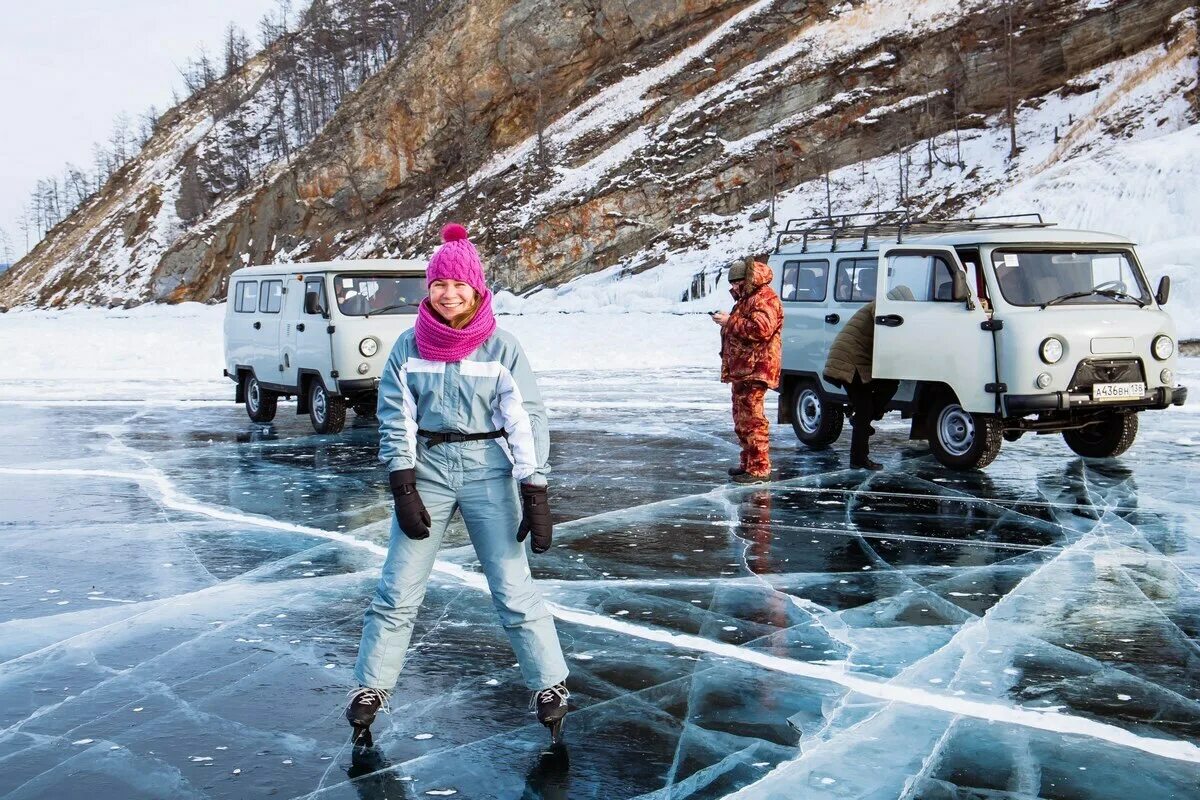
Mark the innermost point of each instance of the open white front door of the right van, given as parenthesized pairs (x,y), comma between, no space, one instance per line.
(923,334)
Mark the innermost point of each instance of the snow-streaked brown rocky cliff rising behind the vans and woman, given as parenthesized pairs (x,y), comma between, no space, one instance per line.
(578,136)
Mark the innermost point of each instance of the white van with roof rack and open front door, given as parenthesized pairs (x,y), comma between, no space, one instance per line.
(995,327)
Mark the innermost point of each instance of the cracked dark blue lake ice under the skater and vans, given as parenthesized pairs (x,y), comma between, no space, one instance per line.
(182,592)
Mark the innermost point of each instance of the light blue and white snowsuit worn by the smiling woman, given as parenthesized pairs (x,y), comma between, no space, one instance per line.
(491,389)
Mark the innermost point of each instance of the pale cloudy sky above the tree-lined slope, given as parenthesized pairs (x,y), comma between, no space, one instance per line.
(69,68)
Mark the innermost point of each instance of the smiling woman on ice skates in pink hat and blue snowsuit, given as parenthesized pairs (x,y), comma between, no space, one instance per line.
(452,392)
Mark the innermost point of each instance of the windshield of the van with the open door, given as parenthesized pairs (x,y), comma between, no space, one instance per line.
(1030,278)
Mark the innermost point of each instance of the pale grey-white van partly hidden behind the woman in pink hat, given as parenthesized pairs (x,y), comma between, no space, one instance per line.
(320,333)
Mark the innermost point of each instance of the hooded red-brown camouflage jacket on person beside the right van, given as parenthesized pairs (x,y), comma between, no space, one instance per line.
(752,342)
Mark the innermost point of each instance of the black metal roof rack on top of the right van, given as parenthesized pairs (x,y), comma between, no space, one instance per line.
(895,224)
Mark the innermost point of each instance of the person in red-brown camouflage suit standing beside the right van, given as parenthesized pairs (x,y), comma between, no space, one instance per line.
(752,358)
